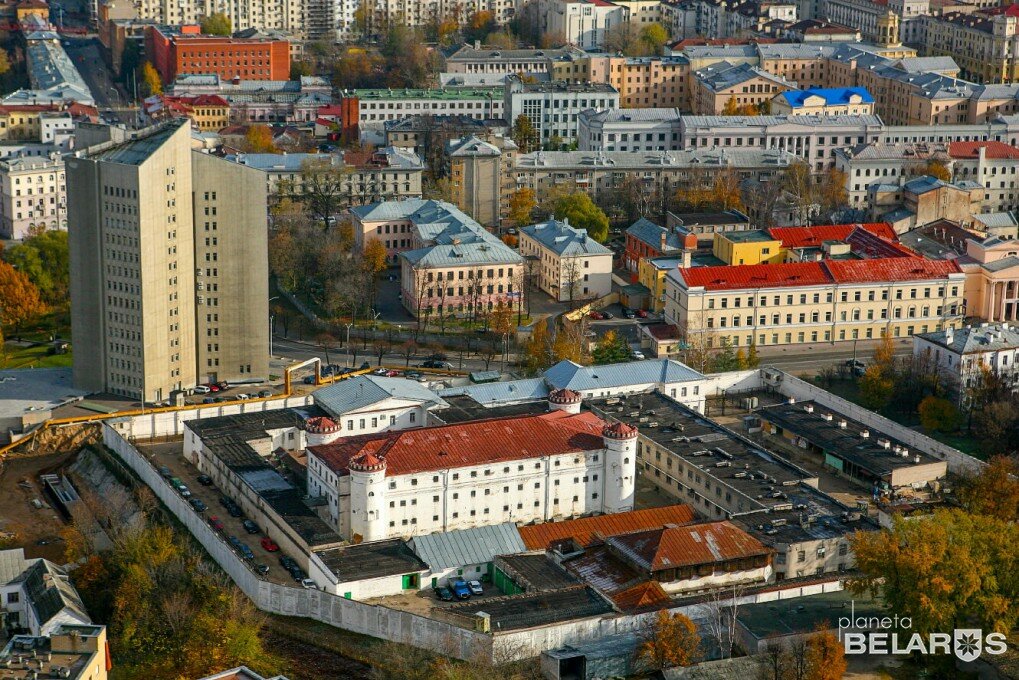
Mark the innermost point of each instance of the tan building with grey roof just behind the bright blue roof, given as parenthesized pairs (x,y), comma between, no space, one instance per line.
(714,87)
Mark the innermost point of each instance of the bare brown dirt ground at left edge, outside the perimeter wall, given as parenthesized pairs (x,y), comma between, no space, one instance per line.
(38,530)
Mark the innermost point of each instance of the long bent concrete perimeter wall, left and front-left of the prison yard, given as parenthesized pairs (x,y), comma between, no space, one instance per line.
(350,615)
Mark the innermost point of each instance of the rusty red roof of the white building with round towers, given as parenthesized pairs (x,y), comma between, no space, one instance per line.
(471,444)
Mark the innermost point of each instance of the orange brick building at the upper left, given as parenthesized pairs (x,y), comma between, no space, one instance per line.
(184,50)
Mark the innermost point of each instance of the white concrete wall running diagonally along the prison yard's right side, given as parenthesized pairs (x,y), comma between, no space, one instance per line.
(958,462)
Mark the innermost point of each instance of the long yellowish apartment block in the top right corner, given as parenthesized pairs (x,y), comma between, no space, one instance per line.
(985,43)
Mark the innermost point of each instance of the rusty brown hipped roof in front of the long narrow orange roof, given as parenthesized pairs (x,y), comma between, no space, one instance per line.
(692,545)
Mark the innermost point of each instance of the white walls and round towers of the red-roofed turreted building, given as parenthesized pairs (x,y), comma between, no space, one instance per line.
(368,502)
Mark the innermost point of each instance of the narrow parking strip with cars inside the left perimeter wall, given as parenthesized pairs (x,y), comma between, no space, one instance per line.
(171,456)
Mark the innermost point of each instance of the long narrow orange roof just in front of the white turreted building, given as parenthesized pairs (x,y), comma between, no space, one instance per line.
(586,532)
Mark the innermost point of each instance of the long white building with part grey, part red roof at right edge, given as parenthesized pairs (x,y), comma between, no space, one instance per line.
(989,165)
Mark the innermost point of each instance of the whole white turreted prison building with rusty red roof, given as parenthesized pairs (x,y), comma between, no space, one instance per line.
(546,467)
